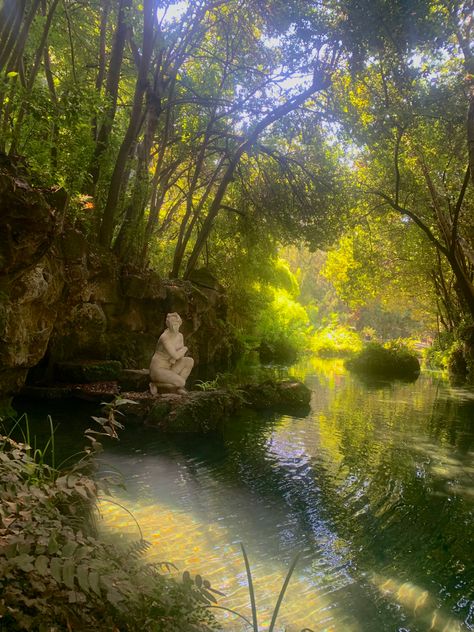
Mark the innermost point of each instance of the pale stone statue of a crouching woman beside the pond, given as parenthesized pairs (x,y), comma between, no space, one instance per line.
(169,366)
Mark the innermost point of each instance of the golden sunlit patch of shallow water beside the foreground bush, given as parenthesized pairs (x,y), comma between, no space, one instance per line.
(199,547)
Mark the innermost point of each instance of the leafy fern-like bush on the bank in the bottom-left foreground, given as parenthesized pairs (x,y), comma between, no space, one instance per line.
(56,574)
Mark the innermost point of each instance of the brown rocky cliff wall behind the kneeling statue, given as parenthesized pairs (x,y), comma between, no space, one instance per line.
(62,299)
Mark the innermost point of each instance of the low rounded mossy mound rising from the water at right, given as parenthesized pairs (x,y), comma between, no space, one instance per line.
(376,360)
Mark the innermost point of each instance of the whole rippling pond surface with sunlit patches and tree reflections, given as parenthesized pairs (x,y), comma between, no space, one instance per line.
(374,489)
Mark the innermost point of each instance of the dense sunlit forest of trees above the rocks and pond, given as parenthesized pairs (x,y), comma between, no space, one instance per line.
(316,157)
